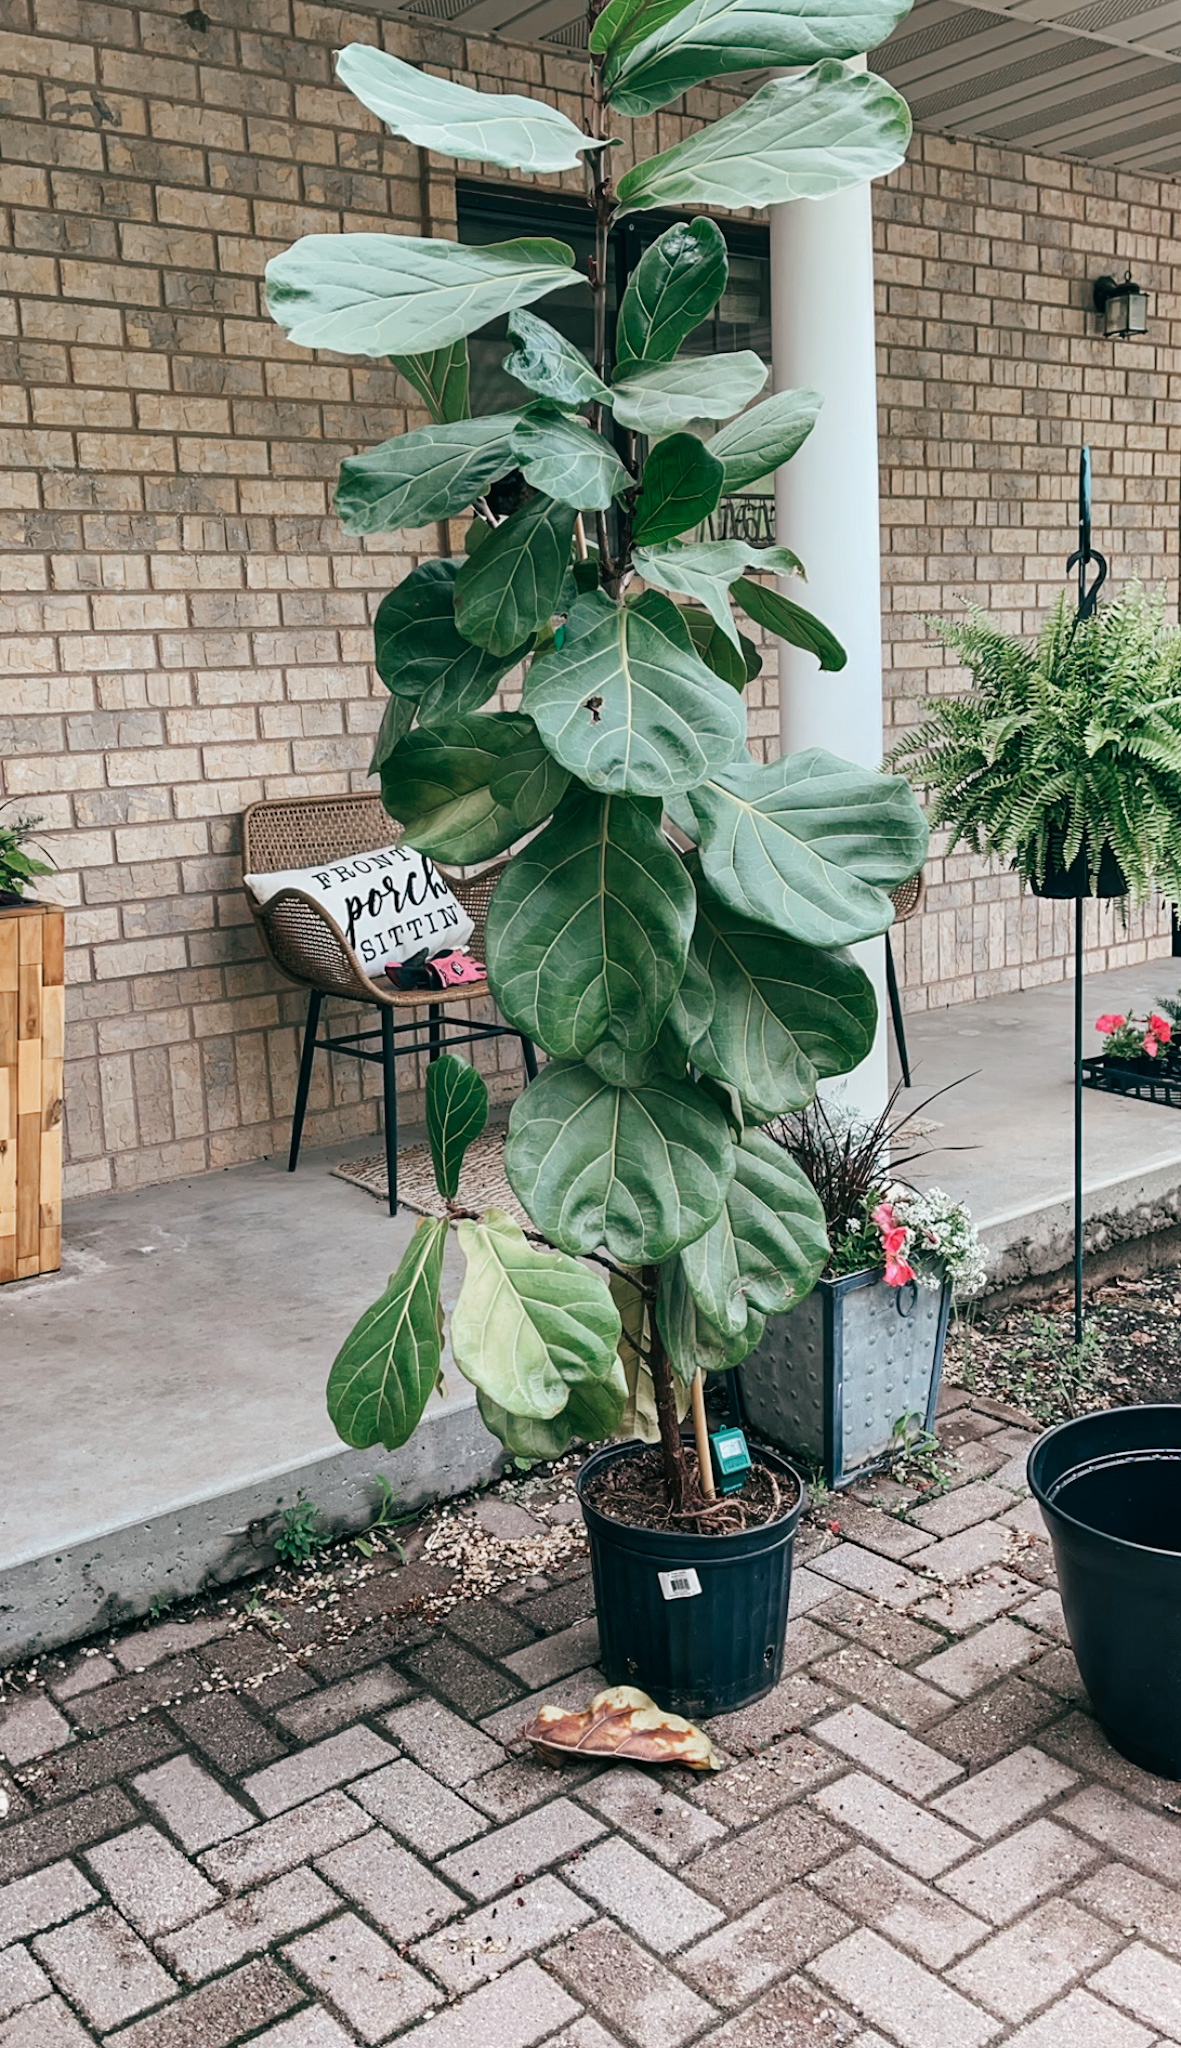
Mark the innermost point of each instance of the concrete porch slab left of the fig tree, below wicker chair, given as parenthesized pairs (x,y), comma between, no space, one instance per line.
(165,1392)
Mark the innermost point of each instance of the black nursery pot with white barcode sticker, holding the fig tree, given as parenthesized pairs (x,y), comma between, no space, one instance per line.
(695,1621)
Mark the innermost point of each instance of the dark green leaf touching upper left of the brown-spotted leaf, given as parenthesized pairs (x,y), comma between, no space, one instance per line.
(513,585)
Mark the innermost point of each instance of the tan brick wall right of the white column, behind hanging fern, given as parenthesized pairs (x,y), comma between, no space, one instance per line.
(992,376)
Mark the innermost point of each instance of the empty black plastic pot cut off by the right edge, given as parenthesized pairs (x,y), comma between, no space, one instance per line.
(1110,1492)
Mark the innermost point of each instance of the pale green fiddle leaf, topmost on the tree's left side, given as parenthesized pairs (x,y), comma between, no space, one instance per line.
(484,128)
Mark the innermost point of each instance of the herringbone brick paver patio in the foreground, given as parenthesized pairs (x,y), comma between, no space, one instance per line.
(918,1840)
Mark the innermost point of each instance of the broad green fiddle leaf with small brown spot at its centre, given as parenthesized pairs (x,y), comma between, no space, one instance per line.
(627,706)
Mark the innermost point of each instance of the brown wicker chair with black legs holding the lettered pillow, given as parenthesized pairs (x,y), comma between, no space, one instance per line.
(312,951)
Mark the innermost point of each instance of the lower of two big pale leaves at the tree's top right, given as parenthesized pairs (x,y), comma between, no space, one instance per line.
(795,138)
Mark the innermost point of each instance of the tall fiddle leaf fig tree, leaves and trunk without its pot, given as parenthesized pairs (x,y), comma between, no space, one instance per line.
(674,931)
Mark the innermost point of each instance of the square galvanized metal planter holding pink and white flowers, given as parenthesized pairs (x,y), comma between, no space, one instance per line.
(830,1381)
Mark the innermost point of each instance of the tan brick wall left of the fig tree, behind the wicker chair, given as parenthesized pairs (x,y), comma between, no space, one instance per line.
(185,630)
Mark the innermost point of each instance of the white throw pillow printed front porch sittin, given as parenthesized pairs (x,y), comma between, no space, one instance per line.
(390,904)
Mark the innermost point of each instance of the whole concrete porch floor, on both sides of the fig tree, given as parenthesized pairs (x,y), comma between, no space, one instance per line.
(165,1394)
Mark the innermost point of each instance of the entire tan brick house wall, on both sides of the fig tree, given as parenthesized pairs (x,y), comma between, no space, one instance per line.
(183,628)
